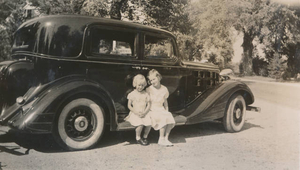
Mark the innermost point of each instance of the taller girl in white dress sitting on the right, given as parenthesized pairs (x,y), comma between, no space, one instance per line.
(161,118)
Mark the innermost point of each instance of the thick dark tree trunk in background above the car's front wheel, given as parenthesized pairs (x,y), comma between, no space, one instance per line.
(246,64)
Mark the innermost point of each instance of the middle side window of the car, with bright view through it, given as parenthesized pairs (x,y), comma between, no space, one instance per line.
(111,43)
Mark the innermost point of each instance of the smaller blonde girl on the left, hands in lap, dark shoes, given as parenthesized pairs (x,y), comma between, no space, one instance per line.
(139,105)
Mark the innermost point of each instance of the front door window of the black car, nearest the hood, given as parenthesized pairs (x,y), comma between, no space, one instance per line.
(159,48)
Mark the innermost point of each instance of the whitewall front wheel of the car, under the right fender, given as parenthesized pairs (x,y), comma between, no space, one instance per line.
(235,114)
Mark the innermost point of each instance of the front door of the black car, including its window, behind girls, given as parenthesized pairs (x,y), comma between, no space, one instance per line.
(160,54)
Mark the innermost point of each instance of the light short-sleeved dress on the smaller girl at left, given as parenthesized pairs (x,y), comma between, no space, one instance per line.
(139,101)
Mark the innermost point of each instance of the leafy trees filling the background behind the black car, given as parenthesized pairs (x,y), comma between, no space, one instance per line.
(204,29)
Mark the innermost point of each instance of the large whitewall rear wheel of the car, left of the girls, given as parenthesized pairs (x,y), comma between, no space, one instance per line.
(80,125)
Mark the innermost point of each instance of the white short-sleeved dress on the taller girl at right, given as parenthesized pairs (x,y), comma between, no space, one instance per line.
(159,115)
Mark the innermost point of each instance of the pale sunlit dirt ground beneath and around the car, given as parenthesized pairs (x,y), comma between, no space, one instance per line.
(269,140)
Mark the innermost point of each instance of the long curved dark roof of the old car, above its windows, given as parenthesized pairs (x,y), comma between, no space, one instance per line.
(87,20)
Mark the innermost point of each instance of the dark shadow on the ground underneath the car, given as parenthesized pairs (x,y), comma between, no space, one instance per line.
(46,143)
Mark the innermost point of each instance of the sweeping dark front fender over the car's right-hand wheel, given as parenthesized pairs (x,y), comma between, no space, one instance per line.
(211,104)
